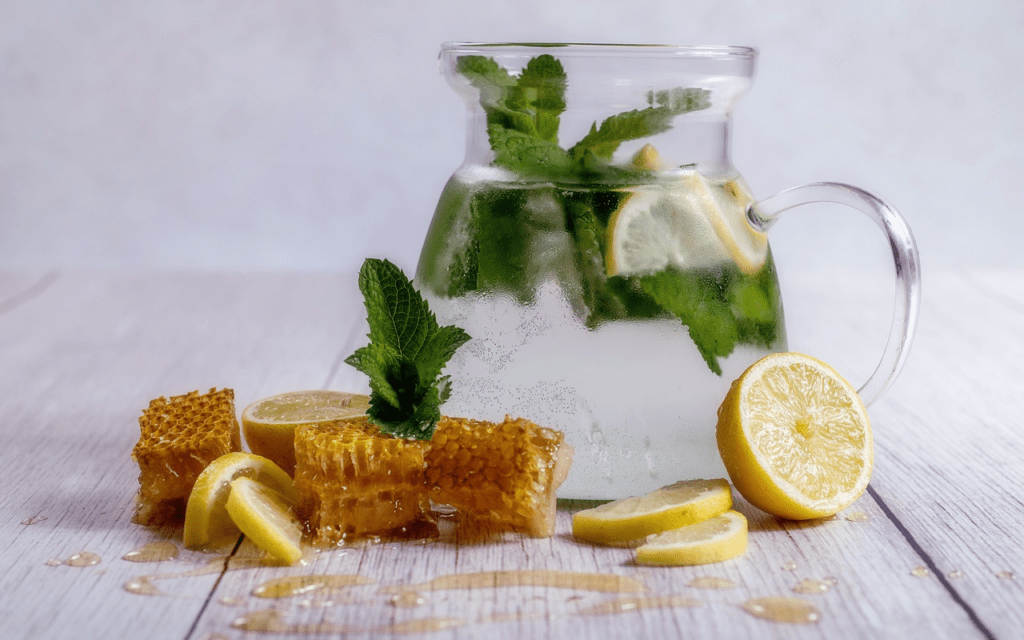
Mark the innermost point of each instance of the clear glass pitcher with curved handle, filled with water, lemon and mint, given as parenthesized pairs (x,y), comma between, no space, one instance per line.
(609,261)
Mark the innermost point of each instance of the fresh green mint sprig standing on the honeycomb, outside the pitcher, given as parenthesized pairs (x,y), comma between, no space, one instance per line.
(407,353)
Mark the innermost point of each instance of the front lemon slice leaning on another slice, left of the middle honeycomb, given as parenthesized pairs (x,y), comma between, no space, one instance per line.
(268,519)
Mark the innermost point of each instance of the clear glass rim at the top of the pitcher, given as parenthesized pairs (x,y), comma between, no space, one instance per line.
(705,52)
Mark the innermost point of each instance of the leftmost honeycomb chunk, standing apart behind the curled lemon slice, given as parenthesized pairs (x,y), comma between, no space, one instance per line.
(181,437)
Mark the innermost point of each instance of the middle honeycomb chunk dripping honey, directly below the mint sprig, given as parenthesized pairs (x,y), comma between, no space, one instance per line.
(355,482)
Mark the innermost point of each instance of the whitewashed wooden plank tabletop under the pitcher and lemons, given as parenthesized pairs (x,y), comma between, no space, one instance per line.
(941,553)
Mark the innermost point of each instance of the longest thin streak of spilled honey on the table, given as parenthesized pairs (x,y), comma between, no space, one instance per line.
(608,583)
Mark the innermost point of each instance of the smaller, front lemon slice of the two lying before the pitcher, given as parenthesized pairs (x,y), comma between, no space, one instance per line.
(715,540)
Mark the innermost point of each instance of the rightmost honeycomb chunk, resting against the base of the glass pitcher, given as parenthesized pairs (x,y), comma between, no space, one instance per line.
(503,474)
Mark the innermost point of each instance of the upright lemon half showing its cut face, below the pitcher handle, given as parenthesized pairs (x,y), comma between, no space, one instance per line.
(795,438)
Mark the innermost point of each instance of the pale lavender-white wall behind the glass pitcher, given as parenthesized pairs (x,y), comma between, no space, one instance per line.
(282,137)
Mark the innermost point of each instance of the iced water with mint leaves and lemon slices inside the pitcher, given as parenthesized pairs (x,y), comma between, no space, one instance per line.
(617,315)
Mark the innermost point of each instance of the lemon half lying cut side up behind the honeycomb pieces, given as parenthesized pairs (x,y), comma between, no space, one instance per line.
(270,424)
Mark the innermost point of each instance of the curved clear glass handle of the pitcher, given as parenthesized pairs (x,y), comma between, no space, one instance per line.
(765,214)
